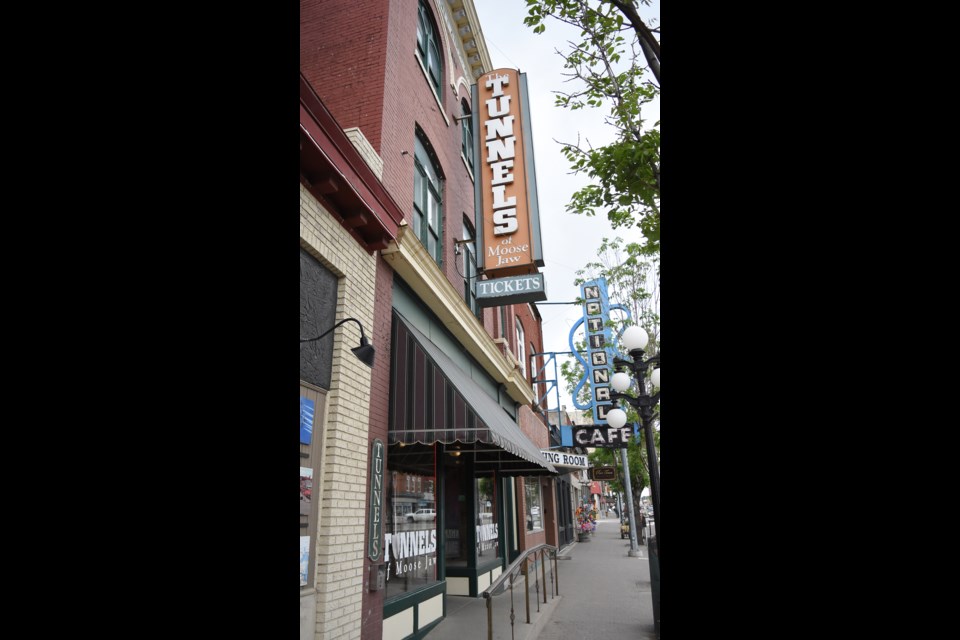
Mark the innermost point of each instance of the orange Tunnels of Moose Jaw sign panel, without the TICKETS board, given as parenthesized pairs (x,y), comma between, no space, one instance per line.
(508,244)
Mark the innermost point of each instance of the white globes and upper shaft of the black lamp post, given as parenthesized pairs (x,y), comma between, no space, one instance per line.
(634,341)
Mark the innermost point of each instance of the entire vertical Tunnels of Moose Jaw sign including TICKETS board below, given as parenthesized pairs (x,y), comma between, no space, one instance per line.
(509,247)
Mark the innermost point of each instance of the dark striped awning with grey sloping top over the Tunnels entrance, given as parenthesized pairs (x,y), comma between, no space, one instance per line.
(434,400)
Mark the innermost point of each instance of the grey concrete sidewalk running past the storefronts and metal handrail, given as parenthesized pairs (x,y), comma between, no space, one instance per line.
(604,593)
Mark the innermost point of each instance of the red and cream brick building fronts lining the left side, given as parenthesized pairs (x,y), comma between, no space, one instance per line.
(387,207)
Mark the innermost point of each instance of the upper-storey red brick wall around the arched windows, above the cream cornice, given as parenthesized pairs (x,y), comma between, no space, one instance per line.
(363,66)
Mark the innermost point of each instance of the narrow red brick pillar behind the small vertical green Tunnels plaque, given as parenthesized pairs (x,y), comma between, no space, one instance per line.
(371,623)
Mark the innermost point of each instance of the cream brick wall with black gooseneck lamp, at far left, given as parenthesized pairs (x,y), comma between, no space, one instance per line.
(339,550)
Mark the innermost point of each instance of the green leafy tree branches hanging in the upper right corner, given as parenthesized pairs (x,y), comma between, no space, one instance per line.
(607,62)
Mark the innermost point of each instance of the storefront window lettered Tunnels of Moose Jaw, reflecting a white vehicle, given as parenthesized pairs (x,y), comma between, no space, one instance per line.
(410,531)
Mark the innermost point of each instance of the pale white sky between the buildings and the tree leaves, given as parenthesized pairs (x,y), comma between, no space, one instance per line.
(569,240)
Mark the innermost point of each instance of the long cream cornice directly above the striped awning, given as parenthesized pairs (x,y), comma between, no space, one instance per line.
(411,262)
